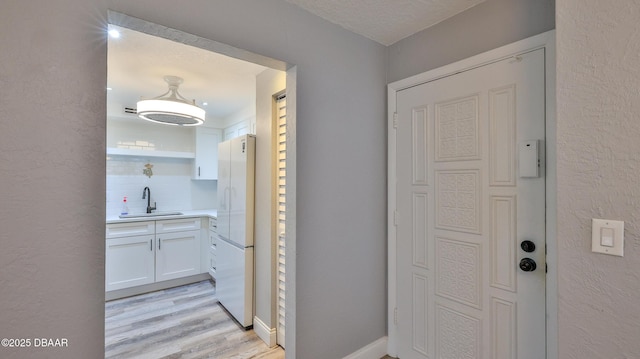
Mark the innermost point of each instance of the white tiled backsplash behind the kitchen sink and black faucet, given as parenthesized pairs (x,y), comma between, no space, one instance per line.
(171,185)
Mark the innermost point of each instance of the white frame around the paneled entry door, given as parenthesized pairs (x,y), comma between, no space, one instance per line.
(546,40)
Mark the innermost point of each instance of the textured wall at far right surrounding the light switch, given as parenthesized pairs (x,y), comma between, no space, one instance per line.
(598,69)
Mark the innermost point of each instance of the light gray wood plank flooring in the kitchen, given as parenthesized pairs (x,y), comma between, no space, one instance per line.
(182,322)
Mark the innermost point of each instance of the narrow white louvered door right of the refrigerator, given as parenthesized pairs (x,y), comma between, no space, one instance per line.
(281,170)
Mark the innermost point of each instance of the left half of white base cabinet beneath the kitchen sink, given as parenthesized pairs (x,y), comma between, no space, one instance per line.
(130,255)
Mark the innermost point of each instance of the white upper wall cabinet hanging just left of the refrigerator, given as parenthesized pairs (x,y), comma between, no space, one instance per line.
(206,160)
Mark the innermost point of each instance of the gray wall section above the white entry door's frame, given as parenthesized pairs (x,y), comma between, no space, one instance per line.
(484,27)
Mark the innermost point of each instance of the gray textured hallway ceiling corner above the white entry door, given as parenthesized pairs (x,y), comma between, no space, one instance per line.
(385,21)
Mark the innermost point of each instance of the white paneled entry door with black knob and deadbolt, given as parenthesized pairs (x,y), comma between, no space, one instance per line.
(467,197)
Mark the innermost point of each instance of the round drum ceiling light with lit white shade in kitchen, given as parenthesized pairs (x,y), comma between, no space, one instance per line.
(171,108)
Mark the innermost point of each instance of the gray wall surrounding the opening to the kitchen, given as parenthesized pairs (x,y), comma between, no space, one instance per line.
(52,166)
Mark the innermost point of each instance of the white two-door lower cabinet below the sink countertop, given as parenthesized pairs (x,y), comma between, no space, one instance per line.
(140,253)
